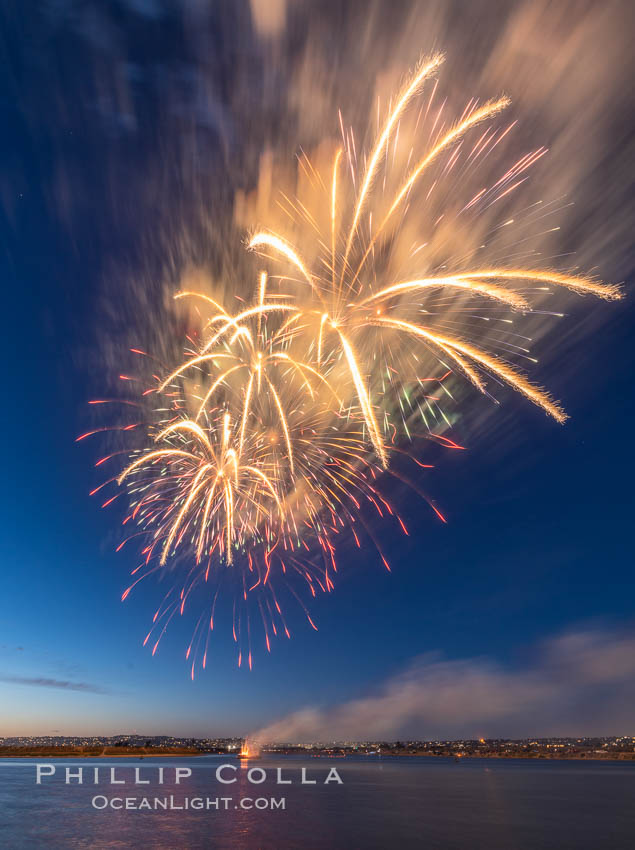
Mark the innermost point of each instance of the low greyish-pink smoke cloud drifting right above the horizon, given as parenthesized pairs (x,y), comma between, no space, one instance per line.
(579,683)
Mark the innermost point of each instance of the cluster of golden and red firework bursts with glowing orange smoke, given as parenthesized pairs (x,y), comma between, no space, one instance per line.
(272,436)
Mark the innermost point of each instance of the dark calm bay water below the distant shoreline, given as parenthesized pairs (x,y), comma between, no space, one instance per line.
(381,803)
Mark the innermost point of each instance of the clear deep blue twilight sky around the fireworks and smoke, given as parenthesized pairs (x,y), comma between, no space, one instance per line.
(539,534)
